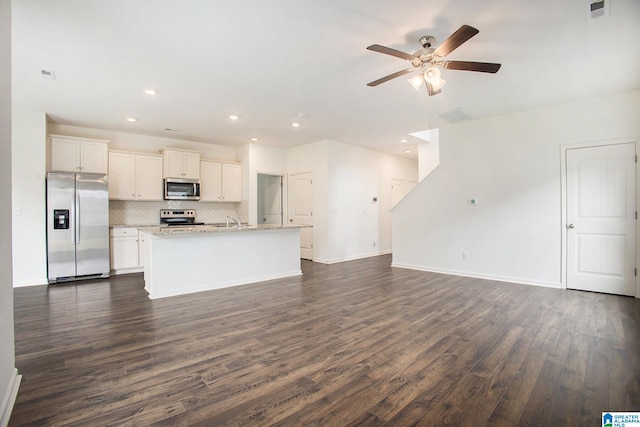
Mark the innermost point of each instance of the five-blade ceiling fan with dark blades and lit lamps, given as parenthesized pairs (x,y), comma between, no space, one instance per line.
(429,60)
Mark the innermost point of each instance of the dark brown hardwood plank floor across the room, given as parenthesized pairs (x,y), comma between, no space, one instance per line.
(356,343)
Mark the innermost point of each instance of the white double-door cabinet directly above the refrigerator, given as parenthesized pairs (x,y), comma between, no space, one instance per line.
(71,154)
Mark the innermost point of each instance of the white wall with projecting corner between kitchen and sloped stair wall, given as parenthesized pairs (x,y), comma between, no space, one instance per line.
(346,178)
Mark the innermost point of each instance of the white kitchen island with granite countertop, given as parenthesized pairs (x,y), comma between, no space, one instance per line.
(182,260)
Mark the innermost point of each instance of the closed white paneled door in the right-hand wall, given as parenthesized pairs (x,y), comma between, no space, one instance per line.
(601,218)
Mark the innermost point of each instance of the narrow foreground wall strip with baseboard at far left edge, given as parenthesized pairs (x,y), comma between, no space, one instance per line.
(9,378)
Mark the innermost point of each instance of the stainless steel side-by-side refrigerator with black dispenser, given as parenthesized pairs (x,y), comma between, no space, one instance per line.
(77,226)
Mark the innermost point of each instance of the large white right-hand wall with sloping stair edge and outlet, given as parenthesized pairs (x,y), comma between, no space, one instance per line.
(511,163)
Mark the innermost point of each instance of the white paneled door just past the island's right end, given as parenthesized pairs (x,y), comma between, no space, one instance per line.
(301,210)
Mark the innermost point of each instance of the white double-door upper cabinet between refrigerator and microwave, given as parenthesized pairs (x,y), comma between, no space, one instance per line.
(135,176)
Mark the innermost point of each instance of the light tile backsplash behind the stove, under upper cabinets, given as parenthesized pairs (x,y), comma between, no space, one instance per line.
(123,212)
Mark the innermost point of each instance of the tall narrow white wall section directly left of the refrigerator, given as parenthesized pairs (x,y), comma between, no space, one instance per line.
(29,129)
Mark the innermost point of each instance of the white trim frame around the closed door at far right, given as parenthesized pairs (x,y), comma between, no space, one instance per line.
(563,200)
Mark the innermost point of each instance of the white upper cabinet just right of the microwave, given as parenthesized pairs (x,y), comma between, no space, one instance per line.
(220,182)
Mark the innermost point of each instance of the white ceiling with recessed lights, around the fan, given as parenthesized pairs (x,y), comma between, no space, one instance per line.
(274,62)
